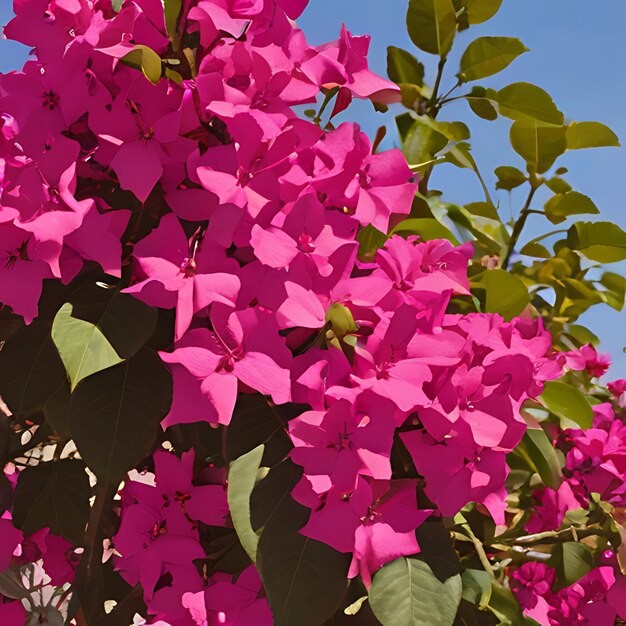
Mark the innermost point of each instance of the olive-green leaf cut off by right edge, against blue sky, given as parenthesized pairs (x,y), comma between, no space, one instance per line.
(604,242)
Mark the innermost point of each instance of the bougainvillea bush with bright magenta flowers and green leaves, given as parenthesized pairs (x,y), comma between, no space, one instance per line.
(259,342)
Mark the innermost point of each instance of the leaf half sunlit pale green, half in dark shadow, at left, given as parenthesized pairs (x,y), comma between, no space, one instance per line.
(99,328)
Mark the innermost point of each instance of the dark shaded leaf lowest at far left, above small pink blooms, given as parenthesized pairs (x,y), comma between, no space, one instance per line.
(55,495)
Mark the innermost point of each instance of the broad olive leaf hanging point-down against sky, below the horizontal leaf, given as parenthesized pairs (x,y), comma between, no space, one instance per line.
(538,143)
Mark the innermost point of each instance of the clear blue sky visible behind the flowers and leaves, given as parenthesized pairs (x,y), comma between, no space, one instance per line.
(578,54)
